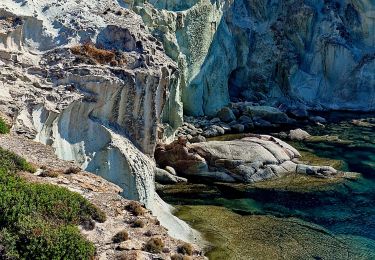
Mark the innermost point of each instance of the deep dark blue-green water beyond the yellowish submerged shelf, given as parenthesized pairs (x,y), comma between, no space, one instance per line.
(345,208)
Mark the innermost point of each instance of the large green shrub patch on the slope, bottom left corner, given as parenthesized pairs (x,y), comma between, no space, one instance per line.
(39,221)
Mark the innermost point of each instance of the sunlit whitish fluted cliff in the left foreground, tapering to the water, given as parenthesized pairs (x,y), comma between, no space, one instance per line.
(88,79)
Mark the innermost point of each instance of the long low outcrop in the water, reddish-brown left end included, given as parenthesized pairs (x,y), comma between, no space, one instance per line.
(251,159)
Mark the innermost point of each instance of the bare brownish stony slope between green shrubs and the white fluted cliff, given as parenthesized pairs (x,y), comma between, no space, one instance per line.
(104,195)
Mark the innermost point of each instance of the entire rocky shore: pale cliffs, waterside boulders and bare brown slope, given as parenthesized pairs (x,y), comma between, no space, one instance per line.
(134,91)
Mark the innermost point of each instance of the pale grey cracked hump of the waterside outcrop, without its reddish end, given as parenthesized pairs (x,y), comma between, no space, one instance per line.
(250,159)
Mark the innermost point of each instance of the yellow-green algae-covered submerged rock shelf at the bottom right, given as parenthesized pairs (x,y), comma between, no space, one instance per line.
(268,237)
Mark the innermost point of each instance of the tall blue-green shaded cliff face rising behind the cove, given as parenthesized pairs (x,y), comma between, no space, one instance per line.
(299,52)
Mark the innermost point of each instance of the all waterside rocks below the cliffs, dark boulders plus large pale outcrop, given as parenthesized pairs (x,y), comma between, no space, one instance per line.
(201,151)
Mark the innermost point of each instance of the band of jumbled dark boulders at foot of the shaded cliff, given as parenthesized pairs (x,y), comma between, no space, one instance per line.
(244,117)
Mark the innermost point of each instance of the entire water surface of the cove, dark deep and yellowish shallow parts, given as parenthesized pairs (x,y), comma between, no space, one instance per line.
(297,217)
